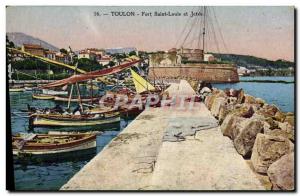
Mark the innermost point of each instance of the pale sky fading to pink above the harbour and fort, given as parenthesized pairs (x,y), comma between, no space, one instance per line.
(266,32)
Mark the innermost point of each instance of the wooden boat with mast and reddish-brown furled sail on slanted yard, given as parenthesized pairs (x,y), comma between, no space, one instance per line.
(80,117)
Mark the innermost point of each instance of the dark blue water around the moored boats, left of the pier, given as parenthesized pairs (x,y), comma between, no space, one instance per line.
(50,176)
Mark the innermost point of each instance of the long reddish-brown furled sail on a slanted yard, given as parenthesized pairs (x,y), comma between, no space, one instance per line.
(92,75)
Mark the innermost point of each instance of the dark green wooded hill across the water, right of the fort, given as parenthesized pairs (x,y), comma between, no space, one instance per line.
(254,62)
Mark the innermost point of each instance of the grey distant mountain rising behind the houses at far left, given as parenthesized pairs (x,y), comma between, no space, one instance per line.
(21,38)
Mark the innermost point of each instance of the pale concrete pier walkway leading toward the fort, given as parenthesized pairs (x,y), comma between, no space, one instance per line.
(139,159)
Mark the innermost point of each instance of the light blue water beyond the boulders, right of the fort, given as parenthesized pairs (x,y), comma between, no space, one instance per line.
(280,94)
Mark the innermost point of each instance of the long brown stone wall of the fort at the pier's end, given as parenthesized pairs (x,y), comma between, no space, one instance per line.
(214,73)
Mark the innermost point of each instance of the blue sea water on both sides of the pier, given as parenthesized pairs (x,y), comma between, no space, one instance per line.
(51,176)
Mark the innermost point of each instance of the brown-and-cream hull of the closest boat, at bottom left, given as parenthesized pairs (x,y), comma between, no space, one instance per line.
(44,146)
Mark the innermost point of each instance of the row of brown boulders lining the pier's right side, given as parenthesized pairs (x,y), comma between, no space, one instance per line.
(259,131)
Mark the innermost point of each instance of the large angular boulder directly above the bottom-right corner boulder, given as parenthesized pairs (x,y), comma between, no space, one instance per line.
(267,149)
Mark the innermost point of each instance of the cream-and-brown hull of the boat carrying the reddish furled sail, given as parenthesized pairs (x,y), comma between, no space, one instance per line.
(73,120)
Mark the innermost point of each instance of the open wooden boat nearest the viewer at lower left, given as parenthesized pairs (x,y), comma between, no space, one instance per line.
(51,144)
